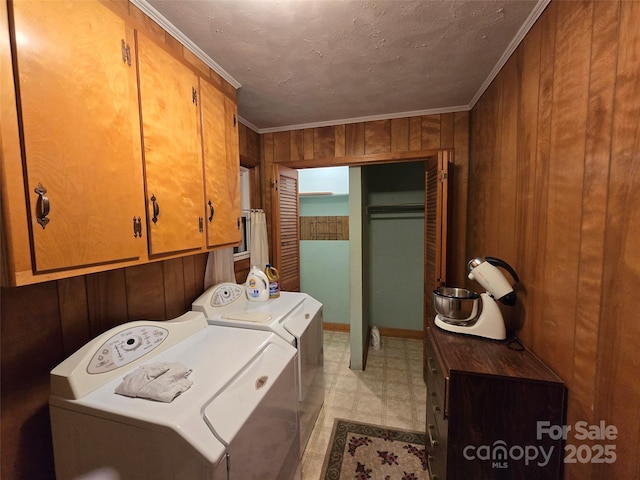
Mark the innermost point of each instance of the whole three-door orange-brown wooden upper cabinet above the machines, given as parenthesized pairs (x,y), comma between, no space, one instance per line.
(102,144)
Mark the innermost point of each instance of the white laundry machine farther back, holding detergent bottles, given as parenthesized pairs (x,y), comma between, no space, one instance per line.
(296,317)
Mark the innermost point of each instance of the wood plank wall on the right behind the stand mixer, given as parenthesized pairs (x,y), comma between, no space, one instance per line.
(555,163)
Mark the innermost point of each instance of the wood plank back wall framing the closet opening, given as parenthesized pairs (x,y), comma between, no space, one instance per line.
(393,140)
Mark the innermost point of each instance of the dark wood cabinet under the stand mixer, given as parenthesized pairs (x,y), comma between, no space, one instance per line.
(489,410)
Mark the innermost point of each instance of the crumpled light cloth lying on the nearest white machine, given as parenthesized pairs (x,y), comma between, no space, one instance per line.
(161,381)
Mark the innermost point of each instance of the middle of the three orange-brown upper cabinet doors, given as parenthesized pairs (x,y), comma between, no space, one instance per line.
(171,148)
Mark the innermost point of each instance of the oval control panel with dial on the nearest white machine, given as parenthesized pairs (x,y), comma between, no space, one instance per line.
(125,347)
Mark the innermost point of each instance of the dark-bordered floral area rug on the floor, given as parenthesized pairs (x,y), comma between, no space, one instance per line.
(361,451)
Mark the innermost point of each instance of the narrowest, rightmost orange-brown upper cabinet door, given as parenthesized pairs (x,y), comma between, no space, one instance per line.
(222,167)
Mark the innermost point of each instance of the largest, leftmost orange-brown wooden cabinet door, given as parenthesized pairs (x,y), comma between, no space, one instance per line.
(78,100)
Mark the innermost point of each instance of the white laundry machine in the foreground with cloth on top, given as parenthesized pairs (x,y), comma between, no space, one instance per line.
(237,421)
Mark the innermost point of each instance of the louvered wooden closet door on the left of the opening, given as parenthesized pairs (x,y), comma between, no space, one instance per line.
(285,226)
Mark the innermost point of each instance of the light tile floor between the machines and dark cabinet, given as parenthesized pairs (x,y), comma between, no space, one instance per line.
(390,392)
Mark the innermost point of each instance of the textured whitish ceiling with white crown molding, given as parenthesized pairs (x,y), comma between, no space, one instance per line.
(314,62)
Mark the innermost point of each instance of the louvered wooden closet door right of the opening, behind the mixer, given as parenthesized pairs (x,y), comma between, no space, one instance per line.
(435,231)
